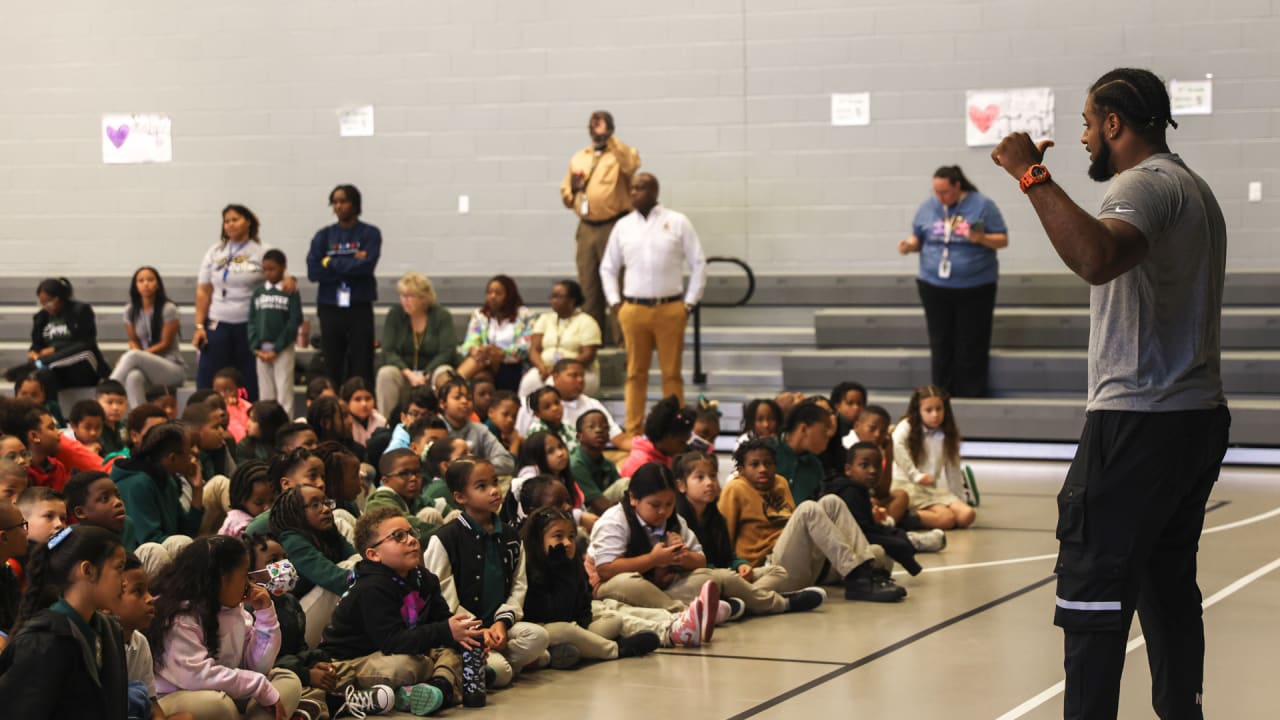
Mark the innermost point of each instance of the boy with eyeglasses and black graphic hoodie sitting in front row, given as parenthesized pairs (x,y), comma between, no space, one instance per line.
(392,639)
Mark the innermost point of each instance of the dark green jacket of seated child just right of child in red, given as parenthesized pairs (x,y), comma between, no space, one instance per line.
(153,504)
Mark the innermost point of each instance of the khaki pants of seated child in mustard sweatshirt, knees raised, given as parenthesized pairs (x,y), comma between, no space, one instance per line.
(820,534)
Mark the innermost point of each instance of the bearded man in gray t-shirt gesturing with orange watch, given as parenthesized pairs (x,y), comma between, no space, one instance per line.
(1133,504)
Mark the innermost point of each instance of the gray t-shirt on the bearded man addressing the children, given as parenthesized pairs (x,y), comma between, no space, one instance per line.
(1155,332)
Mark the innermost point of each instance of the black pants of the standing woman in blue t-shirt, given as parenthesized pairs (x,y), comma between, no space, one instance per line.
(959,322)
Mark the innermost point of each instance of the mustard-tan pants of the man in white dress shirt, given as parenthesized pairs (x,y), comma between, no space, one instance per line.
(646,330)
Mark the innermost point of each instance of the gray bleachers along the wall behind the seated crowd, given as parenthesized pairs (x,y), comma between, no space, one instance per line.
(810,332)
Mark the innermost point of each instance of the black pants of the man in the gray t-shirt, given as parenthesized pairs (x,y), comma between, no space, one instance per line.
(1130,522)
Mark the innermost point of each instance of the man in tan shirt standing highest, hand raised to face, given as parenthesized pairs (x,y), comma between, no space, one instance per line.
(597,189)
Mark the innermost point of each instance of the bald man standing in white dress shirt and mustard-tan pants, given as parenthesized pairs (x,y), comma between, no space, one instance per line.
(655,245)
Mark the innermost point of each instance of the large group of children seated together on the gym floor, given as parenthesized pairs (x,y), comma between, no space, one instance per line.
(348,564)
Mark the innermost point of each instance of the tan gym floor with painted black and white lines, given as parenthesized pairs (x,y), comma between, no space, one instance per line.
(973,640)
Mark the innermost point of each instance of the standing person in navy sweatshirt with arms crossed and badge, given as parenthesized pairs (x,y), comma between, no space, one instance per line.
(342,261)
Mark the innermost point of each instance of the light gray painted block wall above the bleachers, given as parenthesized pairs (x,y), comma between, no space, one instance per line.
(728,102)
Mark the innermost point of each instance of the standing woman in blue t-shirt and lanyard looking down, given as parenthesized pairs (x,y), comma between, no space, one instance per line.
(957,234)
